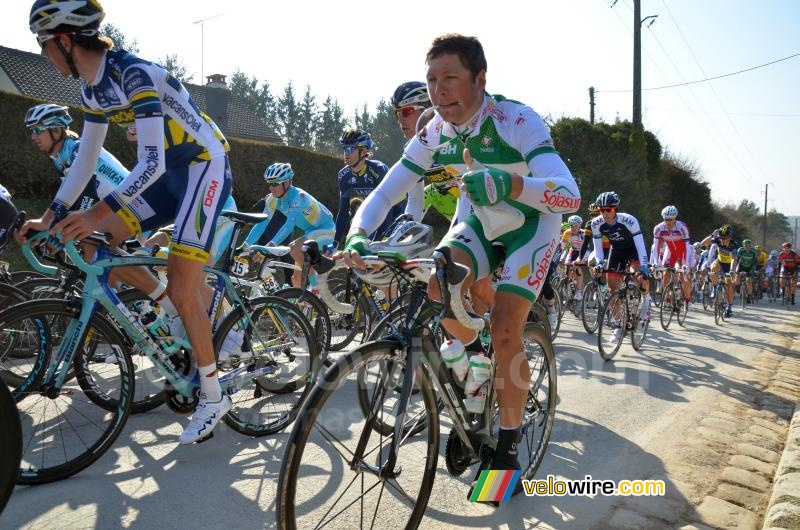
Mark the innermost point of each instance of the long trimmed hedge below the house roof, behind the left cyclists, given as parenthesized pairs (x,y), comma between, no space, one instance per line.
(28,173)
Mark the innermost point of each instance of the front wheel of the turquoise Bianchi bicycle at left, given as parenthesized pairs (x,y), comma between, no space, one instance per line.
(66,431)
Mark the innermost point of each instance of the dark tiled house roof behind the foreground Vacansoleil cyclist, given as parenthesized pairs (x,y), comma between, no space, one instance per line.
(35,77)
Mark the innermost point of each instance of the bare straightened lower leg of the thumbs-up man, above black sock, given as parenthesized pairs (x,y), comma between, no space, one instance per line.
(512,372)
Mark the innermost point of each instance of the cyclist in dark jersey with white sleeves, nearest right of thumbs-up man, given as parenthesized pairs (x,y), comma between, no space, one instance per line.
(626,250)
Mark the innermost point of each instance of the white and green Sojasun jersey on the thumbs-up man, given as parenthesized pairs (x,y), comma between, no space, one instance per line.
(503,134)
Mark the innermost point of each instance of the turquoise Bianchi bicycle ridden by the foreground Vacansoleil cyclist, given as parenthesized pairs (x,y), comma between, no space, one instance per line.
(278,364)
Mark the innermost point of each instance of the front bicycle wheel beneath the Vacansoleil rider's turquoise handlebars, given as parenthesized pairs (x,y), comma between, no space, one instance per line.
(33,402)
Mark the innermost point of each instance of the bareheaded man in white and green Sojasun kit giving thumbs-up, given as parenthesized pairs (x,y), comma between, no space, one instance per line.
(519,187)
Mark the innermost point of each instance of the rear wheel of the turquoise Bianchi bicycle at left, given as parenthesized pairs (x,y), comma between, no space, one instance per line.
(268,404)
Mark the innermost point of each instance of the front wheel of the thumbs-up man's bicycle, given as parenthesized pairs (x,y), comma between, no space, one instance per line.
(297,501)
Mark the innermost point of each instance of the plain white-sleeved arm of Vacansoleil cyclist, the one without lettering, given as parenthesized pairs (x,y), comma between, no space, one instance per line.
(92,137)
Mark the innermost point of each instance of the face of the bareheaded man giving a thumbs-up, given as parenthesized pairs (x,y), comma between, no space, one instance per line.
(453,91)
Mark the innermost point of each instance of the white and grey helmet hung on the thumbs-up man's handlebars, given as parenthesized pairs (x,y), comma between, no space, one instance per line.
(411,239)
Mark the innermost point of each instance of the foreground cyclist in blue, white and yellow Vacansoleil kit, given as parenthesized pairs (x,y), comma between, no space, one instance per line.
(182,156)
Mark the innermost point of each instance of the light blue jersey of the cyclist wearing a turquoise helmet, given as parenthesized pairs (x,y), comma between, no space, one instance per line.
(296,209)
